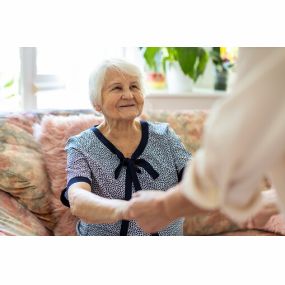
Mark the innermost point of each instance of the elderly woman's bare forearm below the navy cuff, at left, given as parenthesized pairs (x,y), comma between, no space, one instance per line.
(94,209)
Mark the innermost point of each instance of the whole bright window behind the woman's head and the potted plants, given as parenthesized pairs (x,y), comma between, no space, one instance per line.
(57,77)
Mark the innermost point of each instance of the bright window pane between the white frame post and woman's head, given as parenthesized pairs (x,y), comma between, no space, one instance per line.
(63,74)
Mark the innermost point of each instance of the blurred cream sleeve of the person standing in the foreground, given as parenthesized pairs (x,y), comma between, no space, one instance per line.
(244,138)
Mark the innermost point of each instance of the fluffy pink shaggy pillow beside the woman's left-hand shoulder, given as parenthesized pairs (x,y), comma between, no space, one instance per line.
(52,135)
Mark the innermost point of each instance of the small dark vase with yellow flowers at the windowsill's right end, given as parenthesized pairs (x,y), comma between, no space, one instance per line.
(223,62)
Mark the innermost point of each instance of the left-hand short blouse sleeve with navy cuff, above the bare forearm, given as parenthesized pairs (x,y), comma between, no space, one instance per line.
(77,168)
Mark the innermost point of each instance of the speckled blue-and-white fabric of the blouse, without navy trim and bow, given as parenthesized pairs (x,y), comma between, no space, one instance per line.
(88,157)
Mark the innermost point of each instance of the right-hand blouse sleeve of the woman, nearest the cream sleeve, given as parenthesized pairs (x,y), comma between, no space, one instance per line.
(180,155)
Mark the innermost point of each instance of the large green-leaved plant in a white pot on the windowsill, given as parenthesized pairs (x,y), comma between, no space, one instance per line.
(180,64)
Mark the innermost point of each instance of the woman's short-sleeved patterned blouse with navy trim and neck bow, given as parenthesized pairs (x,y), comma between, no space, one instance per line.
(157,164)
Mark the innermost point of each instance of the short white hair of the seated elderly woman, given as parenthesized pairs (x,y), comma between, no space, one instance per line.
(97,77)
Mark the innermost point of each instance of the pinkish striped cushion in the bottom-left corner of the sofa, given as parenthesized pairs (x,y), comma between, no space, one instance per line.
(15,219)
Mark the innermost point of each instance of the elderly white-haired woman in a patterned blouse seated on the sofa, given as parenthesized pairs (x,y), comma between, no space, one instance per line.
(107,163)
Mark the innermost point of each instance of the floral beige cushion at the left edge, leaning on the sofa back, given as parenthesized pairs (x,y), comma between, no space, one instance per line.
(23,172)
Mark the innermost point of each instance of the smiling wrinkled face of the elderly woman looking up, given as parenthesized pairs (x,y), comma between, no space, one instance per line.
(122,97)
